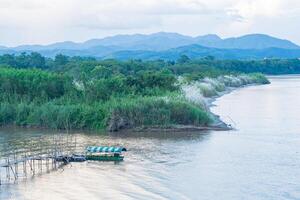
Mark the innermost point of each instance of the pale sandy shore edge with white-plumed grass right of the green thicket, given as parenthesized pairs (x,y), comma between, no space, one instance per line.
(206,91)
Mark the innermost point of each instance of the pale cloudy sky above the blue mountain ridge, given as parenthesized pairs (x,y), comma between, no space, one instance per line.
(48,21)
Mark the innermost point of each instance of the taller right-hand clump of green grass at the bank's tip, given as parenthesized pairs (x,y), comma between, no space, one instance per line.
(156,111)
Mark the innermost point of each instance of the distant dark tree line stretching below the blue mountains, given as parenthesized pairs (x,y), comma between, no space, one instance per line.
(206,65)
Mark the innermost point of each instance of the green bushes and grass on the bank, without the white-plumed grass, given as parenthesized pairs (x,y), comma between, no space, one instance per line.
(33,97)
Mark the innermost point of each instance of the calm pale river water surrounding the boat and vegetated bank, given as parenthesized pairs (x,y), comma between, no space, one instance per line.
(259,160)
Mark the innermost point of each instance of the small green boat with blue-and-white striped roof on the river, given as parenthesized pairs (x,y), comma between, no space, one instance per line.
(104,153)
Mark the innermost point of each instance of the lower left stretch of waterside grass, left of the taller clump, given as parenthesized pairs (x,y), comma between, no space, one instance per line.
(50,115)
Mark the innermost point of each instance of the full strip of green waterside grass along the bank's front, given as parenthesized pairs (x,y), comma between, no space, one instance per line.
(114,114)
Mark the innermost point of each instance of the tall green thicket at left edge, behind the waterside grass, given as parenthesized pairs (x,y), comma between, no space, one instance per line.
(33,84)
